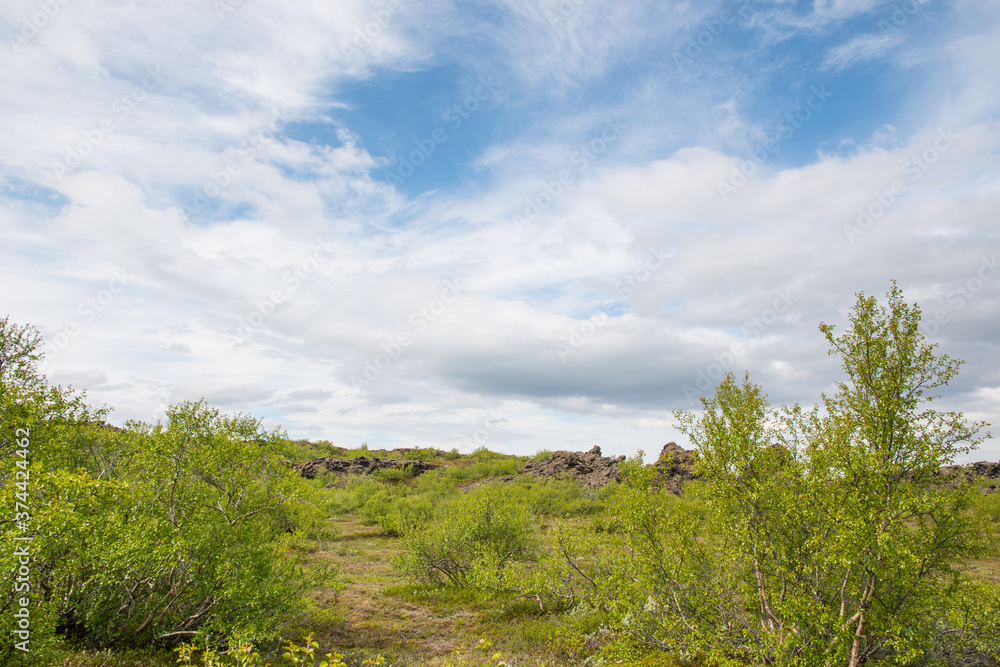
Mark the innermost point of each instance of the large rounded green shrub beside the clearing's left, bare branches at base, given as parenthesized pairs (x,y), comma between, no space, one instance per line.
(195,532)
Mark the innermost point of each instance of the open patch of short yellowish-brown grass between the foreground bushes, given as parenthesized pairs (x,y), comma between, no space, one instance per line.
(380,612)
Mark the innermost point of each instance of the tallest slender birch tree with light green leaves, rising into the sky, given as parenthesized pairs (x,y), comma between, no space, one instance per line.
(901,532)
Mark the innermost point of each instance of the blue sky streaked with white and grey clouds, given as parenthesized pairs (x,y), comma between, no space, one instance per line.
(516,224)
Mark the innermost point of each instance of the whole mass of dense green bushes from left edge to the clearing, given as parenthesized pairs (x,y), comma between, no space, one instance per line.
(144,535)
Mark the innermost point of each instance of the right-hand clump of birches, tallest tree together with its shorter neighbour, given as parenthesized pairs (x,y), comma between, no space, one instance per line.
(845,545)
